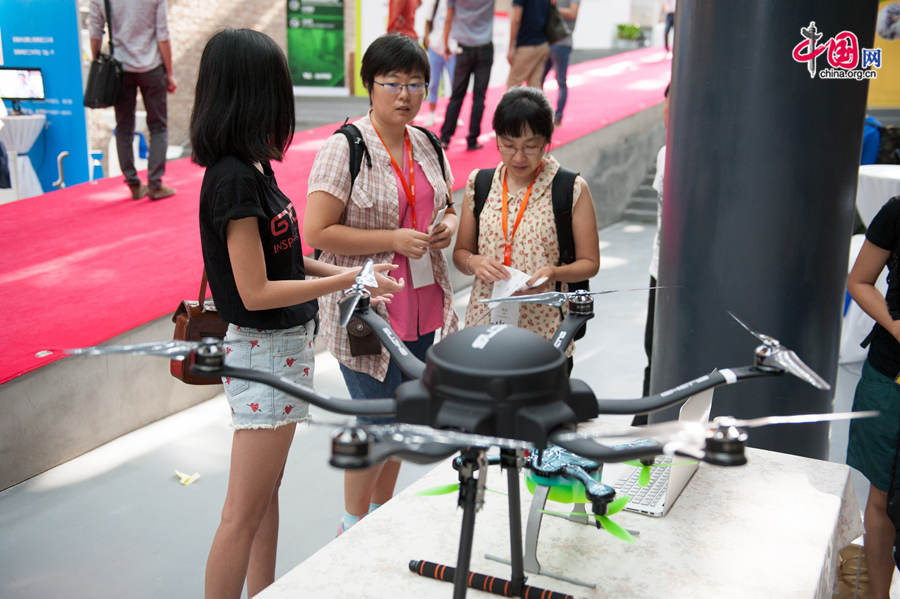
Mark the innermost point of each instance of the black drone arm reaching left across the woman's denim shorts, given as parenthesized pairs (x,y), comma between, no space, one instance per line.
(355,407)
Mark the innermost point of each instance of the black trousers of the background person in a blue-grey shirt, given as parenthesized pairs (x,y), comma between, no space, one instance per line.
(474,61)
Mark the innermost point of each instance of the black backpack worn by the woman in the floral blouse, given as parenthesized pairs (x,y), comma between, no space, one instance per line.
(561,192)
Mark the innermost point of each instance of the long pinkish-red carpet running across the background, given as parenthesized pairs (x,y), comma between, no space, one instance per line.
(84,264)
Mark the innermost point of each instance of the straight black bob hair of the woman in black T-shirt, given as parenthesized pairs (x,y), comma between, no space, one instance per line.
(244,99)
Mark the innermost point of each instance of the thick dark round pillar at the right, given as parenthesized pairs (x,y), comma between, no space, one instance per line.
(760,186)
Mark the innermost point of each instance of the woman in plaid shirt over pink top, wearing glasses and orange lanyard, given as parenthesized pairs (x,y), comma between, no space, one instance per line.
(398,209)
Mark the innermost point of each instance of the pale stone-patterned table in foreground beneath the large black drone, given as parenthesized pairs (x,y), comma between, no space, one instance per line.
(772,528)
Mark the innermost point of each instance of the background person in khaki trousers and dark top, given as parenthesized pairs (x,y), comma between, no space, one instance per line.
(528,47)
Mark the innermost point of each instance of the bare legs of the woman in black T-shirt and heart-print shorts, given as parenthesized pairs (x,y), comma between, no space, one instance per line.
(257,461)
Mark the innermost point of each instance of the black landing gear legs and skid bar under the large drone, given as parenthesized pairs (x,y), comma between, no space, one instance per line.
(471,498)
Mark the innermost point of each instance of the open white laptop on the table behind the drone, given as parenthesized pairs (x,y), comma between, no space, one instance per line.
(666,482)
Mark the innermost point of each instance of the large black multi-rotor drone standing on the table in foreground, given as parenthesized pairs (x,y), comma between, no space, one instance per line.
(499,386)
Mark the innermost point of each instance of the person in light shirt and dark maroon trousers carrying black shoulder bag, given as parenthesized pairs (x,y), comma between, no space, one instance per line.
(141,43)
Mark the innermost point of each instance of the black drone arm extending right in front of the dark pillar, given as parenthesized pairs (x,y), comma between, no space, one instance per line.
(676,395)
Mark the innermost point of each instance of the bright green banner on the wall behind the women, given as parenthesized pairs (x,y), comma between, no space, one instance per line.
(315,42)
